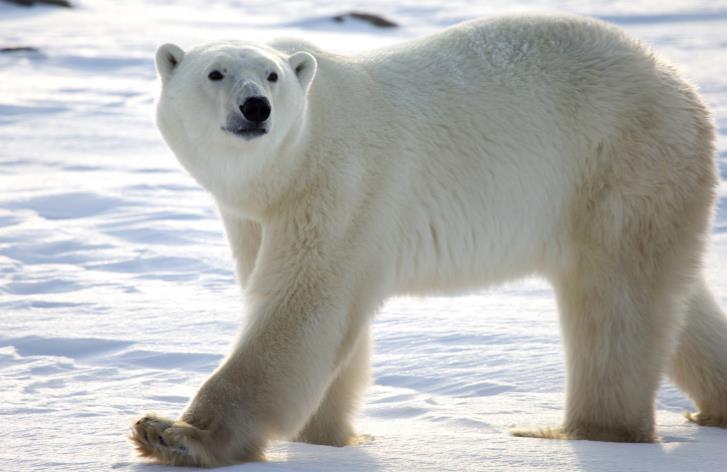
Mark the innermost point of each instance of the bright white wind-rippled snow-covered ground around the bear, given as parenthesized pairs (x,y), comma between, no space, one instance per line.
(117,292)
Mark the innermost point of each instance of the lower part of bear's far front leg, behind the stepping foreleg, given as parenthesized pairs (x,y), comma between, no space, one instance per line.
(331,424)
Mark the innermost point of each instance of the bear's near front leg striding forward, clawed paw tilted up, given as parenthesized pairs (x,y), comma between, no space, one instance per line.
(301,329)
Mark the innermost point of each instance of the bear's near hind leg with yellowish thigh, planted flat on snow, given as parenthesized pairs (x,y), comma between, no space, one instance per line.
(629,258)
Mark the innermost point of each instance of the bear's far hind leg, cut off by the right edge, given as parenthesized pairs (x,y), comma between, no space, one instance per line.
(699,365)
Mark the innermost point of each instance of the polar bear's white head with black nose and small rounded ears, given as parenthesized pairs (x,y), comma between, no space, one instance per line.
(226,109)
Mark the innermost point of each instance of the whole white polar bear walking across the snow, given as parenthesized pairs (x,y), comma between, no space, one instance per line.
(498,148)
